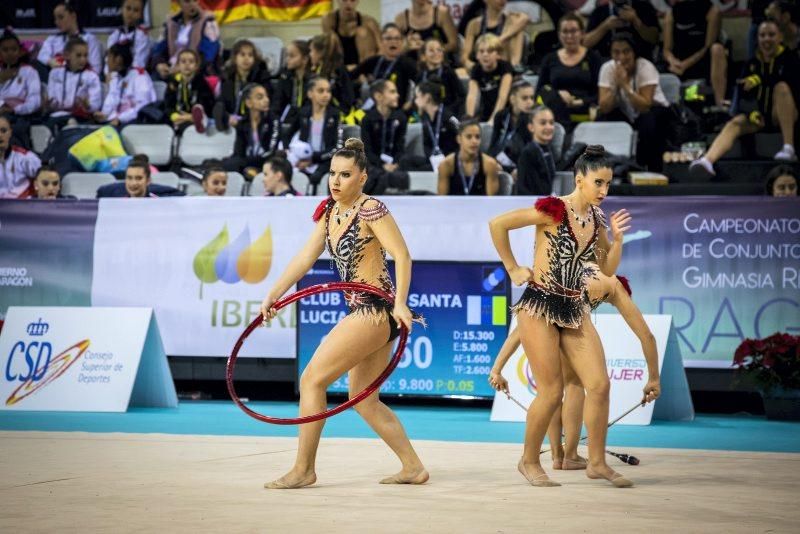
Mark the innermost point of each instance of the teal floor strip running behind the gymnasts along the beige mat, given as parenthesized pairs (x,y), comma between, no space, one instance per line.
(716,432)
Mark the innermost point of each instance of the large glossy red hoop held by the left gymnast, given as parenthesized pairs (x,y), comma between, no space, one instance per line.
(369,390)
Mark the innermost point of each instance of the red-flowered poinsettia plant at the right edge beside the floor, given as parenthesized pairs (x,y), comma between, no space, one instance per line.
(772,362)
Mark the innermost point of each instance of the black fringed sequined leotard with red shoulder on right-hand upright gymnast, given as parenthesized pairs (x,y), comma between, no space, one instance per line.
(558,292)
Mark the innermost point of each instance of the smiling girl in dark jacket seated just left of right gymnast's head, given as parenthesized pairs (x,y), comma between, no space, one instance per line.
(536,170)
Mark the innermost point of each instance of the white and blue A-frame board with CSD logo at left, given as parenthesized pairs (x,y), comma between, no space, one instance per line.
(82,359)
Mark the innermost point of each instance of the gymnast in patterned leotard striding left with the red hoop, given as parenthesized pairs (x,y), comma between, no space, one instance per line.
(357,231)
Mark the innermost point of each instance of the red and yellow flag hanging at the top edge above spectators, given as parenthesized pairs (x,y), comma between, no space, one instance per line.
(275,10)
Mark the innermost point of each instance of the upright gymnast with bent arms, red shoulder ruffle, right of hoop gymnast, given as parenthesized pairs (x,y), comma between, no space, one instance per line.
(553,312)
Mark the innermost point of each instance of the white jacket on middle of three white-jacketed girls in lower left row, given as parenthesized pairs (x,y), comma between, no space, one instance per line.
(79,93)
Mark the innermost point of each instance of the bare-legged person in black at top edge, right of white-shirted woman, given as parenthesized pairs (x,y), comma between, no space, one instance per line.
(691,47)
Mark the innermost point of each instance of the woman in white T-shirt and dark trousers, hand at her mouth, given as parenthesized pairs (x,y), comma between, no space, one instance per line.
(629,91)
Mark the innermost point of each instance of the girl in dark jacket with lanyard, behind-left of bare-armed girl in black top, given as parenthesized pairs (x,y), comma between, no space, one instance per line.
(439,129)
